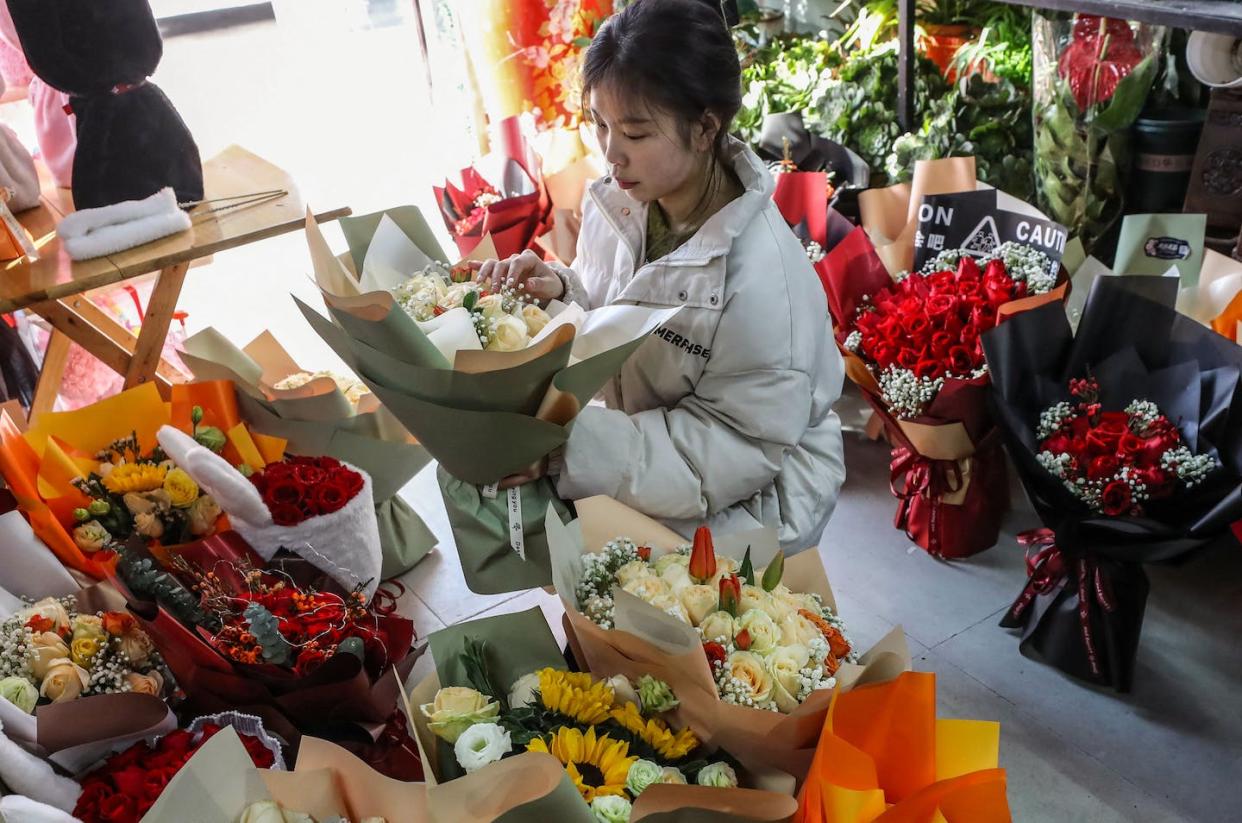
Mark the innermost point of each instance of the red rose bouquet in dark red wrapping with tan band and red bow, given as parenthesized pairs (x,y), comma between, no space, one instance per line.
(912,344)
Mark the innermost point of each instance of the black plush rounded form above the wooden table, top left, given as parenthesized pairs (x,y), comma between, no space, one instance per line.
(131,142)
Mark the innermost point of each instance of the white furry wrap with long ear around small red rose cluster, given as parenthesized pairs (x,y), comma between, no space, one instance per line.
(346,544)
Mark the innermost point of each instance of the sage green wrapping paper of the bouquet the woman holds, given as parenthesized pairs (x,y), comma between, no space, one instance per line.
(487,415)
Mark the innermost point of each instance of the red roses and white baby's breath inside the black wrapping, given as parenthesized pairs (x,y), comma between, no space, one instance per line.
(1116,461)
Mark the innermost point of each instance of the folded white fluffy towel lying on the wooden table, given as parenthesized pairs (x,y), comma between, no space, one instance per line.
(107,230)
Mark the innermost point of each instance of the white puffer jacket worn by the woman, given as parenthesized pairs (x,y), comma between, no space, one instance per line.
(726,415)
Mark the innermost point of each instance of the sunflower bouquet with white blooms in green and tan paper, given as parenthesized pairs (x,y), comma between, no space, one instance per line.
(610,749)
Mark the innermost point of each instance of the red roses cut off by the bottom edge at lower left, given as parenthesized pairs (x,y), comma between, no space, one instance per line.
(127,786)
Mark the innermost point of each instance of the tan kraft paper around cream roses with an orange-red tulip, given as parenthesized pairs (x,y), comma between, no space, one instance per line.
(649,641)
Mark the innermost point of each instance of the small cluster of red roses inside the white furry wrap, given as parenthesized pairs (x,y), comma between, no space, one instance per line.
(300,488)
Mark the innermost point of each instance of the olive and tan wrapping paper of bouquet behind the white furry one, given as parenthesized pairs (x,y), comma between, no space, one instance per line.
(320,420)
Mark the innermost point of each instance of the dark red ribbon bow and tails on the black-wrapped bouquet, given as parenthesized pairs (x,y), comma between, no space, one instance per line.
(1046,569)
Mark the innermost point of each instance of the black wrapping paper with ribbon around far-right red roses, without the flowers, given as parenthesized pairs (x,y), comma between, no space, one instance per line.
(1086,618)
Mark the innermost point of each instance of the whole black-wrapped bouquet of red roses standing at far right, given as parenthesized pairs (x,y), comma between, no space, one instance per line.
(1125,440)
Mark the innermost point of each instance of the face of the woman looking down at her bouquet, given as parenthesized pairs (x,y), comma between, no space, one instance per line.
(648,151)
